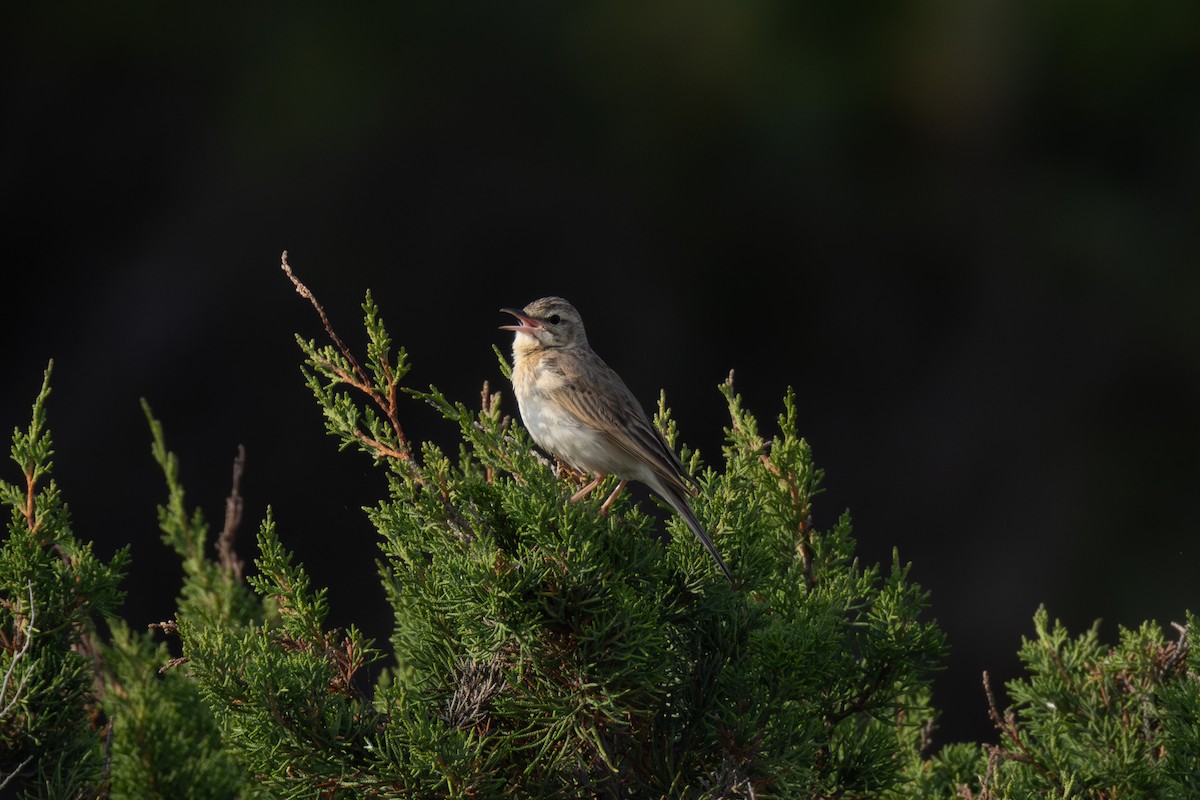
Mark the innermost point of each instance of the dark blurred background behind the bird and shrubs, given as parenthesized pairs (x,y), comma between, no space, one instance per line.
(964,231)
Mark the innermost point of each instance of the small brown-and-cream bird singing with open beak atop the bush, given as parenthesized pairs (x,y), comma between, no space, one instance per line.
(577,407)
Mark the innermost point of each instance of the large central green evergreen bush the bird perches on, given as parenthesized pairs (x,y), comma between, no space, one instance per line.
(547,651)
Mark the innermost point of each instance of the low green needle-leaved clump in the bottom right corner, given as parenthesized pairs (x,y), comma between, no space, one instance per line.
(1101,723)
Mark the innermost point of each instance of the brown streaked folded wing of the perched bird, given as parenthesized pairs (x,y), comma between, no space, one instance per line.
(605,405)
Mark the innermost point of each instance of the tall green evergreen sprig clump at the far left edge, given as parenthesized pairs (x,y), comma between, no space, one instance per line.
(53,592)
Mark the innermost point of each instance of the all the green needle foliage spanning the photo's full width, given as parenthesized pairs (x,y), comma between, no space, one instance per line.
(542,649)
